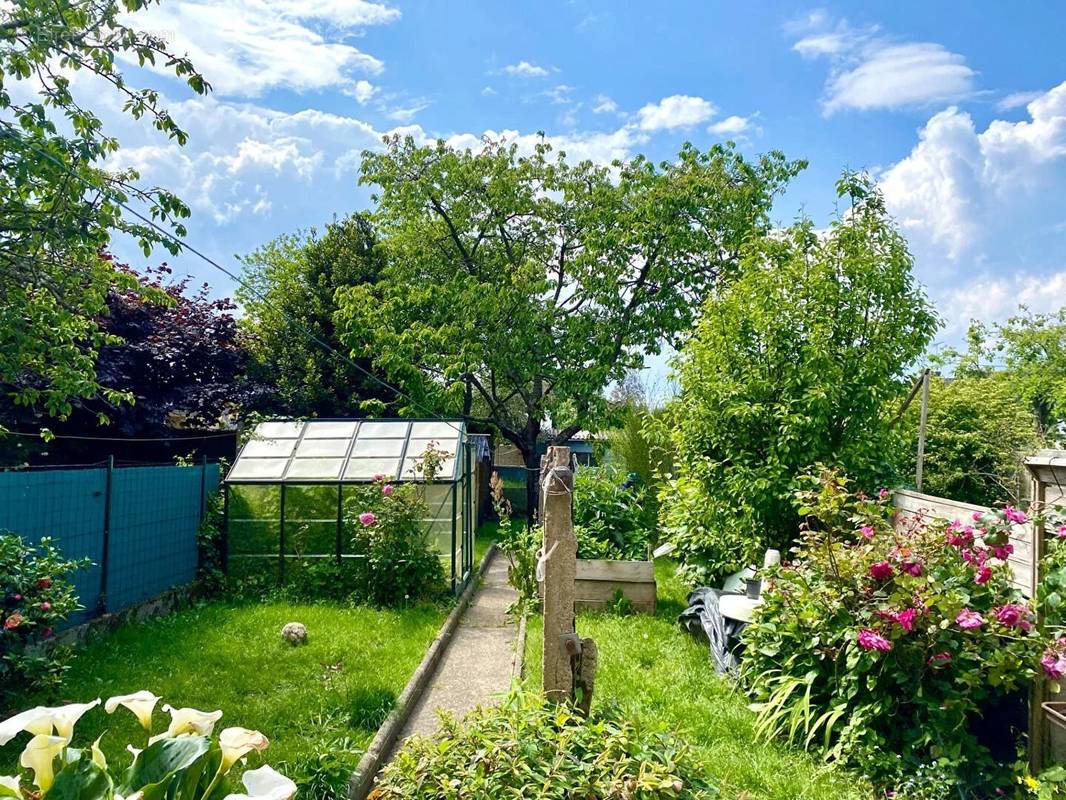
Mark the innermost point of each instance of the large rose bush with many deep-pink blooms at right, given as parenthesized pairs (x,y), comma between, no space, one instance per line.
(882,648)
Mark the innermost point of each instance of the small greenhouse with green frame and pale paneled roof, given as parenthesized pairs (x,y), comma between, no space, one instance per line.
(285,497)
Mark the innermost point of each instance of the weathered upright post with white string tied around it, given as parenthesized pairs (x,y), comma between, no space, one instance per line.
(561,552)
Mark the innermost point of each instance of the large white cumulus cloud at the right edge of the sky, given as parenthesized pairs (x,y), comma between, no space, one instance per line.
(978,209)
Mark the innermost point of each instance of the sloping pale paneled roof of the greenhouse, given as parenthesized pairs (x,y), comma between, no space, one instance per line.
(347,451)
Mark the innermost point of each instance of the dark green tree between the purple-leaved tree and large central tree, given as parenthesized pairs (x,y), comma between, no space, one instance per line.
(289,300)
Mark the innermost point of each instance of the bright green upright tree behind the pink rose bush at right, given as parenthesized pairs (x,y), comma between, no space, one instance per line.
(794,363)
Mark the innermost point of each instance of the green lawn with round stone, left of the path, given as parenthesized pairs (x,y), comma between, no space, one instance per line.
(329,697)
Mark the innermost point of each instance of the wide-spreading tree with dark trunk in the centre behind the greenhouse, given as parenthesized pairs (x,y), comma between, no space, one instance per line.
(516,287)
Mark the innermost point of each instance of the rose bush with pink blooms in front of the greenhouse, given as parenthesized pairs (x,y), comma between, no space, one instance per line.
(401,566)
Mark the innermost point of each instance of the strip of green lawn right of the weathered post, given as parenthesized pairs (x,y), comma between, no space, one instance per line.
(658,673)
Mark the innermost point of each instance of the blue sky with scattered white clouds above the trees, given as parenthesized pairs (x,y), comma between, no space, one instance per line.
(960,111)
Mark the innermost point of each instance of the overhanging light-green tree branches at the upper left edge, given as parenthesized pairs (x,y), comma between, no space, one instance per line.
(59,207)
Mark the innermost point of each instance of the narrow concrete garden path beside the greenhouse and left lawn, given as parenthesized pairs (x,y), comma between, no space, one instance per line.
(478,665)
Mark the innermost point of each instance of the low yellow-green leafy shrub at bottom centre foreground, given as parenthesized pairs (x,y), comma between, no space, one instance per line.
(528,748)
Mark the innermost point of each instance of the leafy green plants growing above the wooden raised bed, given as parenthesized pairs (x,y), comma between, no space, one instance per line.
(610,520)
